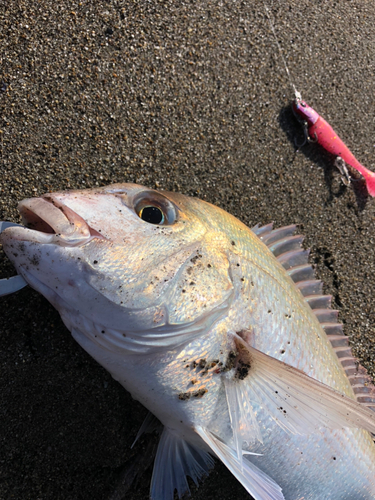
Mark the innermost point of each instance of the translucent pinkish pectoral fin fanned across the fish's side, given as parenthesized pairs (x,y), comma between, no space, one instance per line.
(297,402)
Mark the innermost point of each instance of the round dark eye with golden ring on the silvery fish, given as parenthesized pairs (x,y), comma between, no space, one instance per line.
(154,208)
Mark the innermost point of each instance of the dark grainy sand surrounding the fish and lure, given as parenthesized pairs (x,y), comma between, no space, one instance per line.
(185,96)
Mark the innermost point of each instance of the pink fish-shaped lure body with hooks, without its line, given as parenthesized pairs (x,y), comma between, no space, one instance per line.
(318,130)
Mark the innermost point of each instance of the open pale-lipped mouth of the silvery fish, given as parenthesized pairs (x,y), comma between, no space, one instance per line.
(47,220)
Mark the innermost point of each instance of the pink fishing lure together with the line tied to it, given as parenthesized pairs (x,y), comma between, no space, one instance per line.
(317,130)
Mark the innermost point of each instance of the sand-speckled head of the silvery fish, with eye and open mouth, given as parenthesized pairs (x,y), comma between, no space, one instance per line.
(131,268)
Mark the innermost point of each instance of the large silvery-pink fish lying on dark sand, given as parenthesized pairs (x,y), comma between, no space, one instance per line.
(221,331)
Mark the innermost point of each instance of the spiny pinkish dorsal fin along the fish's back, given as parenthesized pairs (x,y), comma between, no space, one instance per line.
(288,250)
